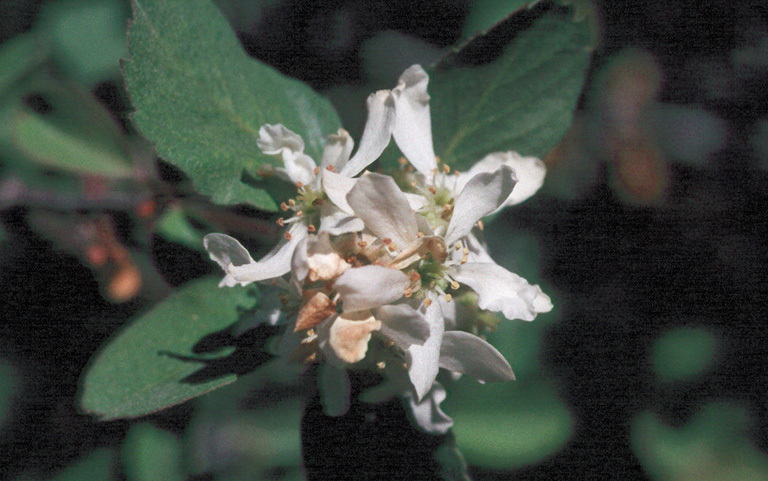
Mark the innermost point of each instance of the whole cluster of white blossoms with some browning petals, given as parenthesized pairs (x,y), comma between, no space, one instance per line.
(384,274)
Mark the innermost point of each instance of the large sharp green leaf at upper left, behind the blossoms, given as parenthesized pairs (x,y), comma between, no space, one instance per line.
(201,99)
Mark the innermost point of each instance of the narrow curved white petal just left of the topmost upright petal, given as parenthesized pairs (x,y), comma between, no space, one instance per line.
(376,134)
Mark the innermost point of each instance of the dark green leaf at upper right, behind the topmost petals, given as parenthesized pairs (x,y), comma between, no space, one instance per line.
(522,100)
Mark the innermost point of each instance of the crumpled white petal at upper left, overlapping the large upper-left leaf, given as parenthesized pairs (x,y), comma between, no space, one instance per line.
(278,140)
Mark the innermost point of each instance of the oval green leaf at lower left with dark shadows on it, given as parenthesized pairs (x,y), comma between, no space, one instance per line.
(159,360)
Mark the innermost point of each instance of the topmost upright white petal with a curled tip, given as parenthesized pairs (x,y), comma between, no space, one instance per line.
(413,128)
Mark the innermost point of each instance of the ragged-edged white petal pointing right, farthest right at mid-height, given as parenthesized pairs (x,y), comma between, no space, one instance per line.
(502,291)
